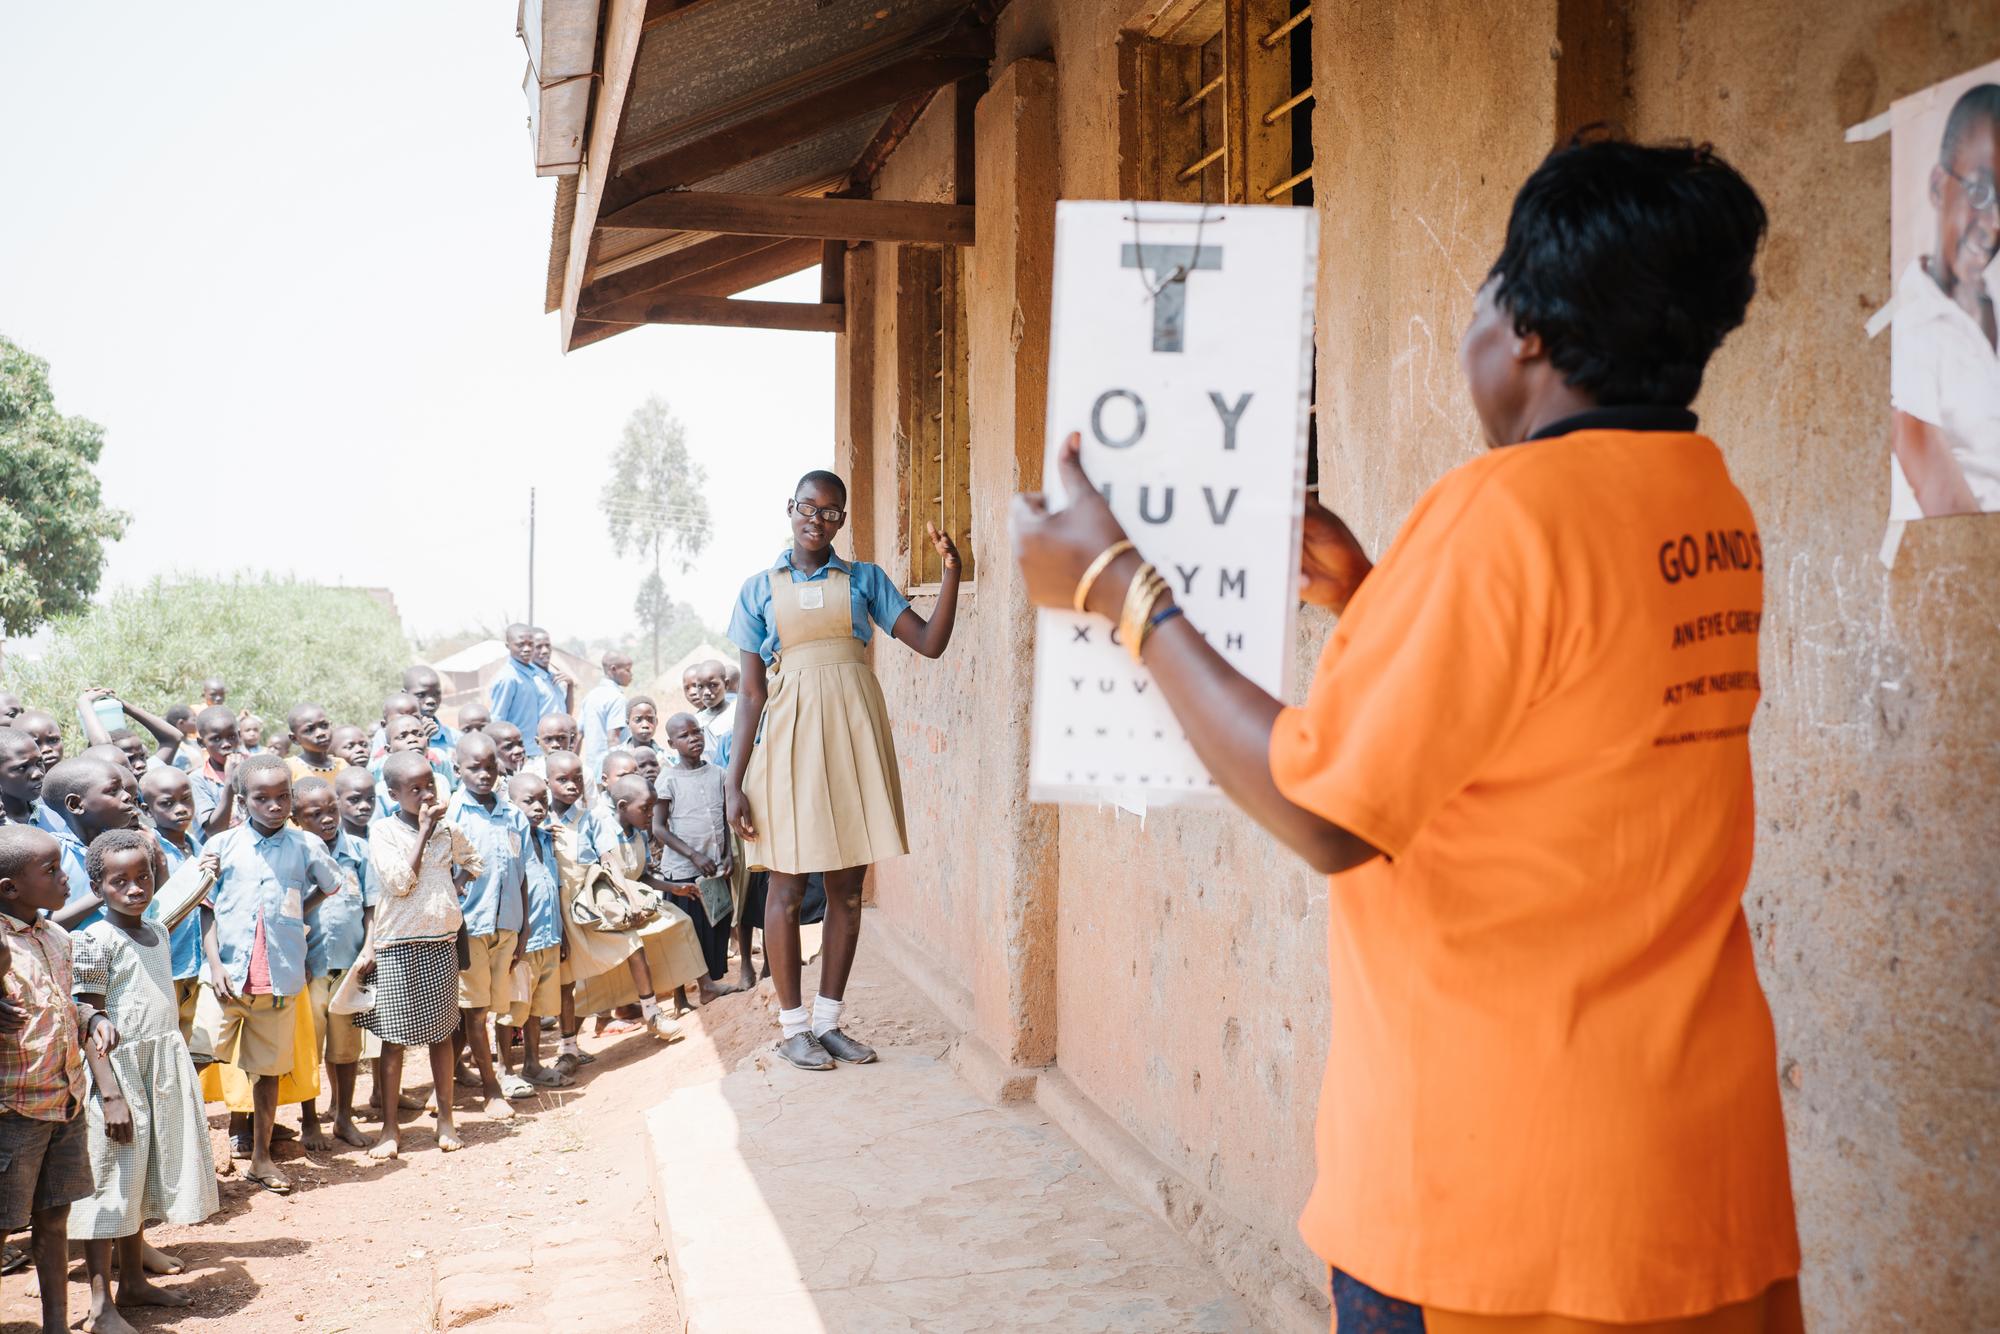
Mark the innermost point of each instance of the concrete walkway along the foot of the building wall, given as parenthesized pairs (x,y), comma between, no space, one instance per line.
(891,1197)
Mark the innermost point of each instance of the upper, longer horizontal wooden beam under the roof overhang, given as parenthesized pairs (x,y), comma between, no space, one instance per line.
(783,215)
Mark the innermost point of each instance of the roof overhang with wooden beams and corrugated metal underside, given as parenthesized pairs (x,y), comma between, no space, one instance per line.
(737,141)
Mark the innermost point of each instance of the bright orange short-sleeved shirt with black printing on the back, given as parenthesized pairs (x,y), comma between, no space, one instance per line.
(1553,1079)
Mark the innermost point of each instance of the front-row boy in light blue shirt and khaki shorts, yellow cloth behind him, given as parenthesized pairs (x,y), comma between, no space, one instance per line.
(253,1007)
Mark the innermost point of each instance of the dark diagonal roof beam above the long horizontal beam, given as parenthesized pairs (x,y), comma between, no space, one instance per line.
(791,123)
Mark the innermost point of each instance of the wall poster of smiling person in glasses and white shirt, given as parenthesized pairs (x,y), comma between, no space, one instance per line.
(1945,341)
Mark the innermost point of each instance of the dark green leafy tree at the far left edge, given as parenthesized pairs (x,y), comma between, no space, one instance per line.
(53,521)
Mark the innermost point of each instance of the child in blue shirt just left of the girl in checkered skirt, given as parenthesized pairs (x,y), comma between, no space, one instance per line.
(335,935)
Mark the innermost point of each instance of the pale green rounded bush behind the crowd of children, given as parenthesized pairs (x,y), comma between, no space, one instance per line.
(275,643)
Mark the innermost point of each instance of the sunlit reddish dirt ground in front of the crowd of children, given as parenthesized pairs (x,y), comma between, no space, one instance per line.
(421,1243)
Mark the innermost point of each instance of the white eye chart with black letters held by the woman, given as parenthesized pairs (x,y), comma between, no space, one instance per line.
(1183,355)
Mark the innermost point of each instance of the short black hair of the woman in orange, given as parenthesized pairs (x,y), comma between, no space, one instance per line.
(1633,263)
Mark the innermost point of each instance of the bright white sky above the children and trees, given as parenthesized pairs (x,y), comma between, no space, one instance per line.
(293,261)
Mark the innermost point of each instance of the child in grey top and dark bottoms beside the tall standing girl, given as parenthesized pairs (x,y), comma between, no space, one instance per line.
(695,847)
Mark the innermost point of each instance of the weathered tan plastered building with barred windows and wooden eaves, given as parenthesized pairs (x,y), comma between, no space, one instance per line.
(1161,991)
